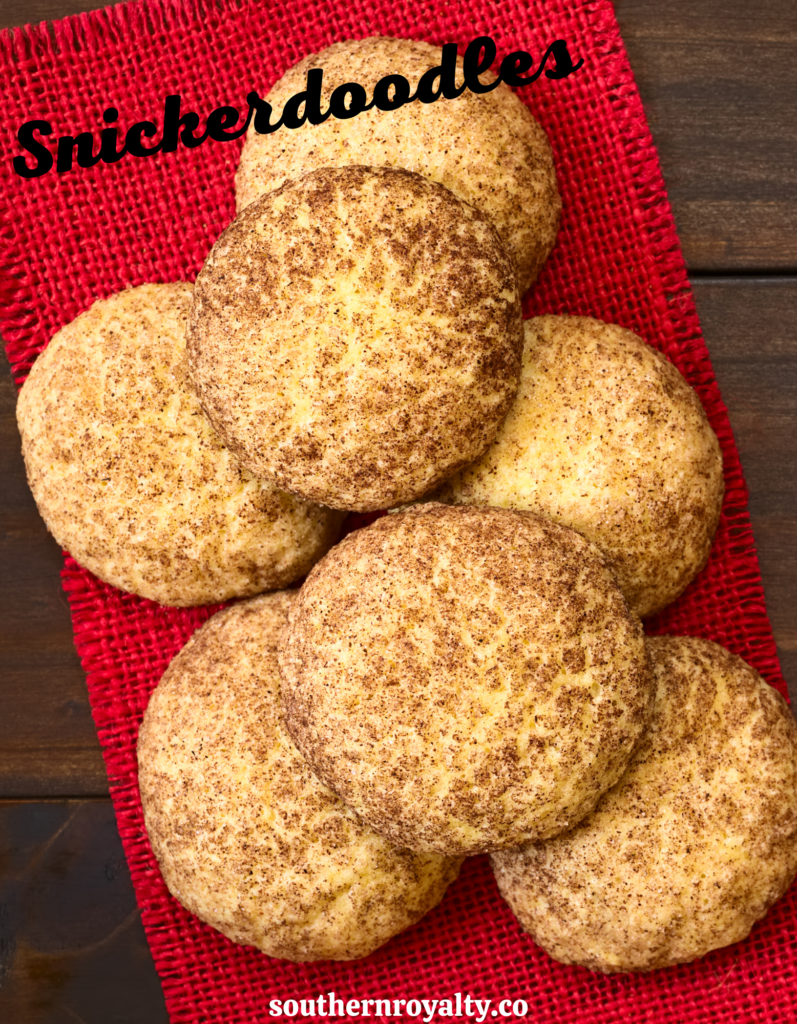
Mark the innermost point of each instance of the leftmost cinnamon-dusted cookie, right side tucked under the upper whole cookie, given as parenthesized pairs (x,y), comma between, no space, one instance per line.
(132,480)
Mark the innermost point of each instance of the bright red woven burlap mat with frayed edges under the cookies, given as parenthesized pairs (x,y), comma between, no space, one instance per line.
(68,240)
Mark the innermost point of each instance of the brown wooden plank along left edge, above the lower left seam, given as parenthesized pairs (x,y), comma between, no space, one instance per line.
(49,745)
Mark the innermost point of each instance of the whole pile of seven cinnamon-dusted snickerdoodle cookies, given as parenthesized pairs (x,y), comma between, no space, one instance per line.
(469,674)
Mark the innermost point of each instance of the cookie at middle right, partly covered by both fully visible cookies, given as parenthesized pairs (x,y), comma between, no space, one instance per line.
(607,438)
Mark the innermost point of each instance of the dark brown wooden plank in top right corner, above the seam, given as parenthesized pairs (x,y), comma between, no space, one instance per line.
(719,81)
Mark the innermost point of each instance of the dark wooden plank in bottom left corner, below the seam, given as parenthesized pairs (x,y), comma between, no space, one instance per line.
(72,946)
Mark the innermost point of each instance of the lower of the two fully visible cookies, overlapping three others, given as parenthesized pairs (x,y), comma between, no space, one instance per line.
(466,678)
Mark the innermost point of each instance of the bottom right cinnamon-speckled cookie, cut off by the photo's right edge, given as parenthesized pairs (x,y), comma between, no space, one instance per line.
(696,842)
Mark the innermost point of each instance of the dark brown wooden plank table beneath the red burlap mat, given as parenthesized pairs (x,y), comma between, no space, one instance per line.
(720,83)
